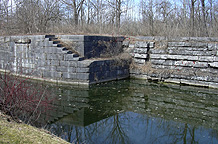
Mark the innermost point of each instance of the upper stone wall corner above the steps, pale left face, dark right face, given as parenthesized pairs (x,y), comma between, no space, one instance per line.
(93,46)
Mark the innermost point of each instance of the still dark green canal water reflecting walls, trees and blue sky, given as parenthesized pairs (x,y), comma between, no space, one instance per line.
(134,112)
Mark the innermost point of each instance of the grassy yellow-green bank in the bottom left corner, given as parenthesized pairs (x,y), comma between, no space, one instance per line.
(13,133)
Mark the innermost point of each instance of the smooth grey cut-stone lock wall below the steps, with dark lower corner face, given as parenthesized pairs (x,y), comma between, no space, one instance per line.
(42,57)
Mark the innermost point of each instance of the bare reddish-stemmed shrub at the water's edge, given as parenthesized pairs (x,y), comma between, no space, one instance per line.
(21,99)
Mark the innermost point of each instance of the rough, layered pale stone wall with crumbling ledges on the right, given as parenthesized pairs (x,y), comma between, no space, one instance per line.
(192,61)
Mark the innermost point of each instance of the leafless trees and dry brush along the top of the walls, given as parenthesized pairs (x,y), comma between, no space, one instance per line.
(123,17)
